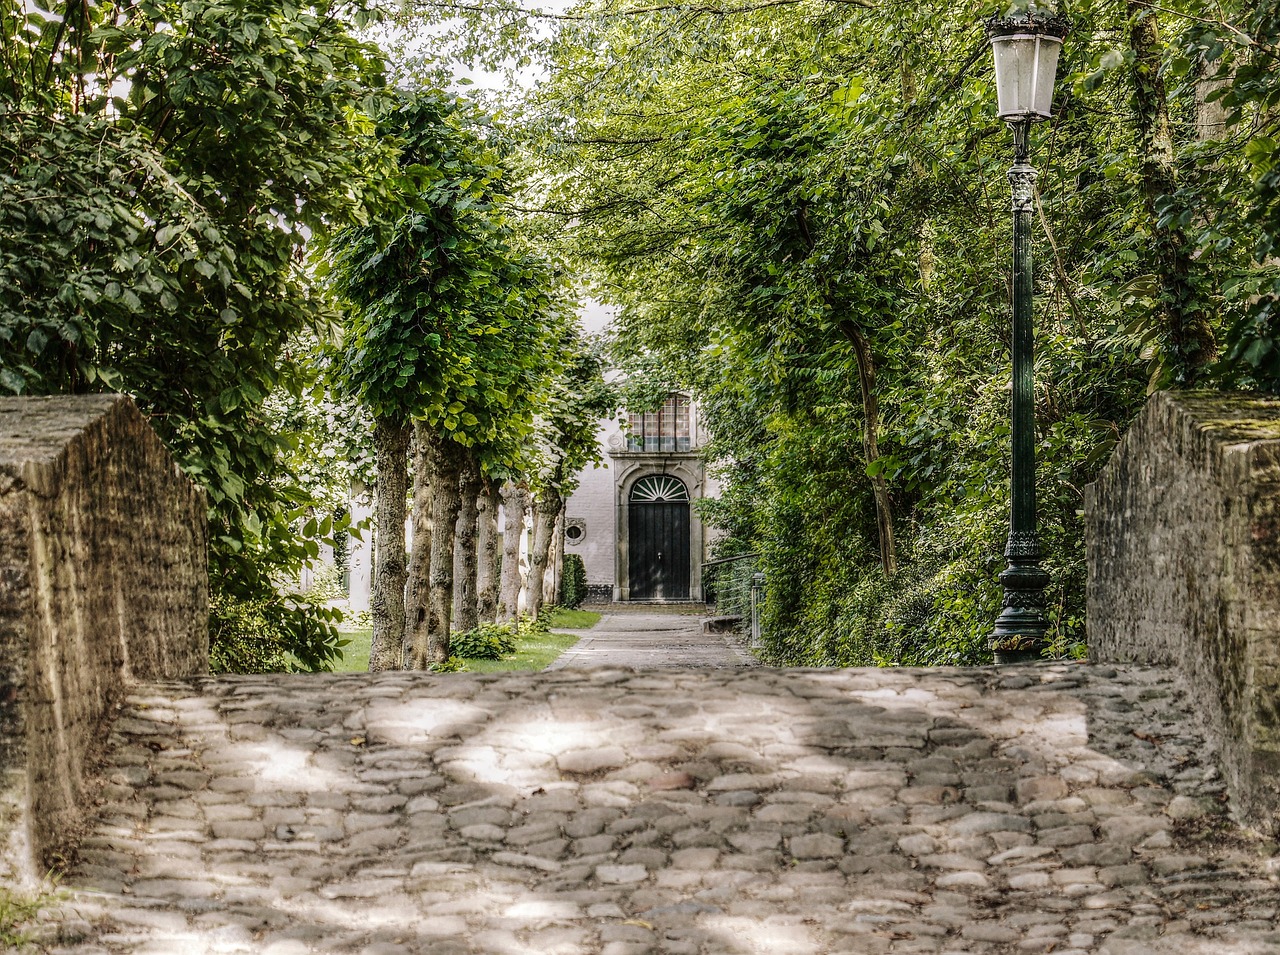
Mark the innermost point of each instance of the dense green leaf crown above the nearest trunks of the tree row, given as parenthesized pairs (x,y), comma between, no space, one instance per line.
(451,318)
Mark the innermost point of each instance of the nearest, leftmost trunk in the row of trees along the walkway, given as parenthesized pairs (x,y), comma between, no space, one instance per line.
(387,606)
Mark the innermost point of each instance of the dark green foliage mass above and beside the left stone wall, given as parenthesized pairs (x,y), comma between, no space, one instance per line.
(162,168)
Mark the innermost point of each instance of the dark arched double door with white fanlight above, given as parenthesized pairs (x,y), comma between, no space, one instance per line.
(659,540)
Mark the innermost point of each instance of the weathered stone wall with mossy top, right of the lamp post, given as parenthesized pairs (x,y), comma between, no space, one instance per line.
(1183,537)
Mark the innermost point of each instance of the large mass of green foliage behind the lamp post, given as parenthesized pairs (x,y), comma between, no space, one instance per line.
(757,189)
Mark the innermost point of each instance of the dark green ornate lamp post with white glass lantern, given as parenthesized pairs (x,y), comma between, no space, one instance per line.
(1026,49)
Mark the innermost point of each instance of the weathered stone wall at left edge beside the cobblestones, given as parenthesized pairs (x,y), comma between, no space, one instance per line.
(103,582)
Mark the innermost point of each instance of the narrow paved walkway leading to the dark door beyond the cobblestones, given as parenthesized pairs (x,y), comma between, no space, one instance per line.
(652,639)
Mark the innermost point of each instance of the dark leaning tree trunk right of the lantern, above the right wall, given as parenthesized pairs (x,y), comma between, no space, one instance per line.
(1188,336)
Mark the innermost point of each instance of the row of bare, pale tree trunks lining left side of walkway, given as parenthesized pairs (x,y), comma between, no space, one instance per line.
(463,572)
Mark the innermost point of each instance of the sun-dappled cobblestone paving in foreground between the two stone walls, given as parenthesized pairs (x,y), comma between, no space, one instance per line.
(1055,810)
